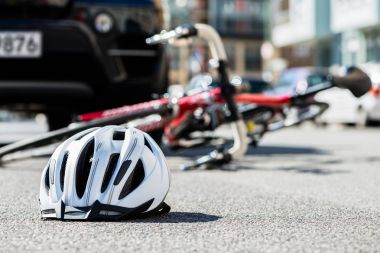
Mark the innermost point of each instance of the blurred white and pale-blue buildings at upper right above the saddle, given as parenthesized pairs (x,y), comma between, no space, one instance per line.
(326,32)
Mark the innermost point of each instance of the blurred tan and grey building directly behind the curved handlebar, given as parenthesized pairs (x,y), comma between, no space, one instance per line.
(241,24)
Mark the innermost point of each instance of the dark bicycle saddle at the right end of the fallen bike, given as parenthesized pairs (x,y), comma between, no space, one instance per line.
(355,80)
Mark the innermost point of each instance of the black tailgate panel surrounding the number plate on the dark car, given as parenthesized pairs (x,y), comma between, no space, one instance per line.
(70,48)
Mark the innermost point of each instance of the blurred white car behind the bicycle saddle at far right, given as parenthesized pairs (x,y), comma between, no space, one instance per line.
(346,109)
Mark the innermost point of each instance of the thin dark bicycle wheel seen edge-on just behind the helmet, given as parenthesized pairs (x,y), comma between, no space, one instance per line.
(58,135)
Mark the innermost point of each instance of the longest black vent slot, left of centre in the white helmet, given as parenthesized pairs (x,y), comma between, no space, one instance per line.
(84,167)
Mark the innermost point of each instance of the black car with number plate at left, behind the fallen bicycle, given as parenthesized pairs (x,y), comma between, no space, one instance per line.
(70,56)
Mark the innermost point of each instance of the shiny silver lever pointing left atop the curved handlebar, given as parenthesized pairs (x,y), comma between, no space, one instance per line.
(180,32)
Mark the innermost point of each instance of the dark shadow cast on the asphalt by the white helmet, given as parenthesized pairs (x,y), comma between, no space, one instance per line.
(179,217)
